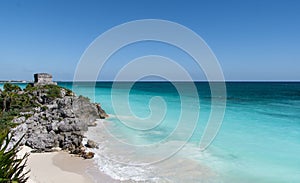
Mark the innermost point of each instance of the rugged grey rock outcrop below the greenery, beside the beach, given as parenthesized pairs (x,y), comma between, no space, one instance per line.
(58,123)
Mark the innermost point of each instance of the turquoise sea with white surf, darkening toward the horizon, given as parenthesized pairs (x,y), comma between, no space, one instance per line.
(152,134)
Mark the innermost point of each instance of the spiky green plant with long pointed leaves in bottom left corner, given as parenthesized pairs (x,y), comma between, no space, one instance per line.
(11,167)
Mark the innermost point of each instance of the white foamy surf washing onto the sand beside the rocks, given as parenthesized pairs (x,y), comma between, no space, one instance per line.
(105,159)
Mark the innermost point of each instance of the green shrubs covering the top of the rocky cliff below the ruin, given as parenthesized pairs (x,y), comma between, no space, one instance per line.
(14,100)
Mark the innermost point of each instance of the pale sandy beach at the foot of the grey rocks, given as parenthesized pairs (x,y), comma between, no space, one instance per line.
(62,167)
